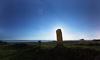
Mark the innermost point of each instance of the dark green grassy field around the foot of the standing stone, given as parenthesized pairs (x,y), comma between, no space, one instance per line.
(49,51)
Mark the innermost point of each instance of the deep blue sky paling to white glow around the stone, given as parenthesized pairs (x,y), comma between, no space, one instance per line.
(39,19)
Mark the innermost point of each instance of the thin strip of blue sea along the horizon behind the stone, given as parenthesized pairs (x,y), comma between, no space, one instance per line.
(32,40)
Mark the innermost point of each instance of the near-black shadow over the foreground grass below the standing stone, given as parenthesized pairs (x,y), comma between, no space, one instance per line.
(56,53)
